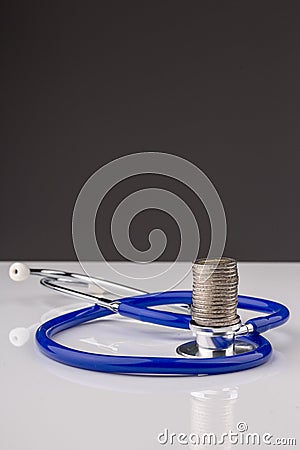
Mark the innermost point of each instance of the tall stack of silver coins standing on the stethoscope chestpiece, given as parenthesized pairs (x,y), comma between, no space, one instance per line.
(215,290)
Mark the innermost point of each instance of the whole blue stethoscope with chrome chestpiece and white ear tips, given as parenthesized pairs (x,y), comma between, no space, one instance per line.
(251,348)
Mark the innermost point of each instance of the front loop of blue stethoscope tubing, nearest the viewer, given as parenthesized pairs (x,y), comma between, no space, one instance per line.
(136,364)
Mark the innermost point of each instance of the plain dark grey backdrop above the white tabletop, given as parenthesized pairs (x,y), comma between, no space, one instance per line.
(83,83)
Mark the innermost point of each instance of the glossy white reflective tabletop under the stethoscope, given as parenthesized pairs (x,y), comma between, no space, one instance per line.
(45,405)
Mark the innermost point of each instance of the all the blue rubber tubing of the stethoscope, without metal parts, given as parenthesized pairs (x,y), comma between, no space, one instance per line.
(139,308)
